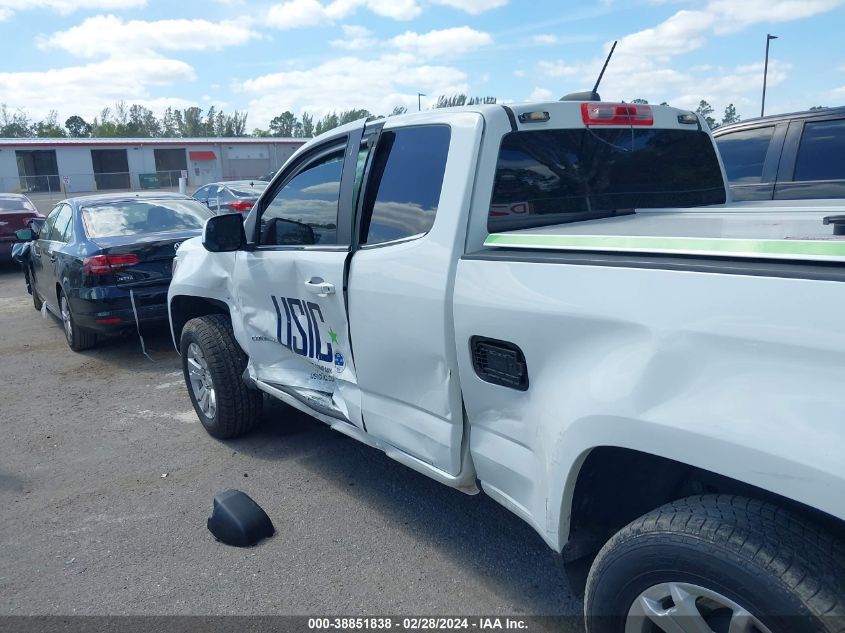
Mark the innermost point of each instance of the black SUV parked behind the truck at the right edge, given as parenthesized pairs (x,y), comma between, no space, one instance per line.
(787,156)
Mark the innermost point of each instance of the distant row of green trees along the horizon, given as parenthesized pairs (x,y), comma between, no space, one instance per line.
(136,121)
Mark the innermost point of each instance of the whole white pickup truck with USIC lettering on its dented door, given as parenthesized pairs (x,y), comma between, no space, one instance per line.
(555,303)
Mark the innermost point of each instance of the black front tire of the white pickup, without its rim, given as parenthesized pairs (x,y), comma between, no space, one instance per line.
(238,408)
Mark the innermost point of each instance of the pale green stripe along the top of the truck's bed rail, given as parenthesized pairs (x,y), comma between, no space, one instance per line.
(747,247)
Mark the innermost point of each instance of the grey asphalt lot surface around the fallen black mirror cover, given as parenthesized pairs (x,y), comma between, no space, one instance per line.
(89,525)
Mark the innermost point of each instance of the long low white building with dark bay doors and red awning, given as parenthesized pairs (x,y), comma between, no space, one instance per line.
(81,165)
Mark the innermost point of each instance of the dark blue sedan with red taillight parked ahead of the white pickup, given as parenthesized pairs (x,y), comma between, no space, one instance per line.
(96,256)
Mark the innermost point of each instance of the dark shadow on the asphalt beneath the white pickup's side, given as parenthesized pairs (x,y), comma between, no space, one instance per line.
(498,547)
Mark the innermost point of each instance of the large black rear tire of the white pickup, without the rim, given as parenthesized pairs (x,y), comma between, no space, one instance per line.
(782,568)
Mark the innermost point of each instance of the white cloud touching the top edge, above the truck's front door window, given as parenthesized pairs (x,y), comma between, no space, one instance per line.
(302,13)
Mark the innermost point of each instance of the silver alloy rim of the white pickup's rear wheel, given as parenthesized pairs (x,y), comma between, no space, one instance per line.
(685,608)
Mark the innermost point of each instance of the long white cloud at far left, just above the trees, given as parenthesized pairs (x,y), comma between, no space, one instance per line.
(85,90)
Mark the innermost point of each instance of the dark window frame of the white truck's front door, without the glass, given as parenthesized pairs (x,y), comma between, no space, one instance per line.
(348,143)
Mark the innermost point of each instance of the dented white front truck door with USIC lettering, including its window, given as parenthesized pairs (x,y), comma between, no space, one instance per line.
(291,281)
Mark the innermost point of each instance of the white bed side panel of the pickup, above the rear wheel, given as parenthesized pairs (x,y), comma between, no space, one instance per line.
(729,373)
